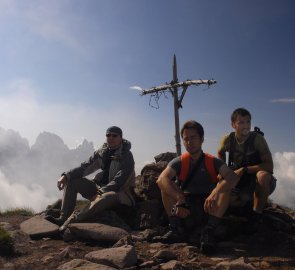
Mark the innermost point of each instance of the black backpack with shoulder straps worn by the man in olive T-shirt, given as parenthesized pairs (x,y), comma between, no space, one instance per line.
(248,159)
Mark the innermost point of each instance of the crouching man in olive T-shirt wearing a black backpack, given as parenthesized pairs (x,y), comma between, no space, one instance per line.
(250,158)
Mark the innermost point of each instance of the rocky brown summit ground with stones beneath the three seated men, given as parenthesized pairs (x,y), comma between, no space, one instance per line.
(124,239)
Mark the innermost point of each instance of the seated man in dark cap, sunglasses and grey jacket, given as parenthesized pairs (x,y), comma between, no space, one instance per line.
(110,187)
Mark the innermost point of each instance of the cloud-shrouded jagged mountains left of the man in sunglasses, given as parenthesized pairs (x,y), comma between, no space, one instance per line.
(28,175)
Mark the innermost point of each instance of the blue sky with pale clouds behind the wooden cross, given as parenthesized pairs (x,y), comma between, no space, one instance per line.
(71,67)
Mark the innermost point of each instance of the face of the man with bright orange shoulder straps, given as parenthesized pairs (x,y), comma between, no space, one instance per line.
(192,141)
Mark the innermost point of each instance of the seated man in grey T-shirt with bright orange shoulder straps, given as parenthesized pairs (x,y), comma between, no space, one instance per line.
(200,198)
